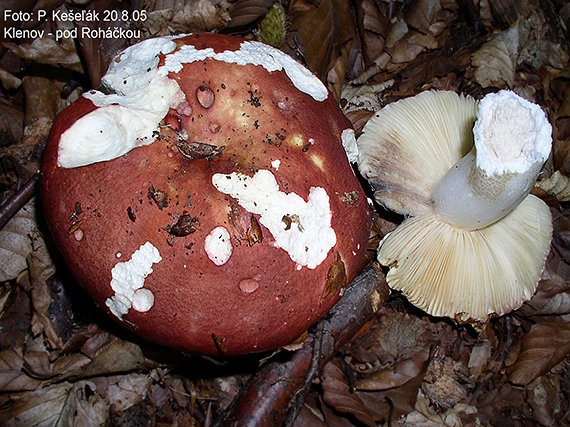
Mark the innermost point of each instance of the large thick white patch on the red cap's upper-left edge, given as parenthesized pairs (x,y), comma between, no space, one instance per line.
(129,115)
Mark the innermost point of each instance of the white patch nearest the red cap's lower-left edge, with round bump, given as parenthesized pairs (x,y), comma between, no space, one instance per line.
(128,280)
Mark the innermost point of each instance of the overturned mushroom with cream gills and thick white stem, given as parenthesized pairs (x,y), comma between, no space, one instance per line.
(474,241)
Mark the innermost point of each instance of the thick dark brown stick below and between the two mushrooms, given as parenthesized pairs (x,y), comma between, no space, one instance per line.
(272,395)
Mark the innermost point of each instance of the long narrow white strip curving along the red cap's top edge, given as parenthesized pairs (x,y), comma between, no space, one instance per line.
(254,53)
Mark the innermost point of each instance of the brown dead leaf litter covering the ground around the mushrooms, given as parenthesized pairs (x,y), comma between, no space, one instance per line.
(63,364)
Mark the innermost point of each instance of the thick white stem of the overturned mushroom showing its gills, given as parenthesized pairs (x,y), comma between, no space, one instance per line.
(512,141)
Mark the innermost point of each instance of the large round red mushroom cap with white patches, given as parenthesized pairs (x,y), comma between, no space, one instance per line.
(201,199)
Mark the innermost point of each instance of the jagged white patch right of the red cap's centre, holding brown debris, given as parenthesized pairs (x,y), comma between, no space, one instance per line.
(302,229)
